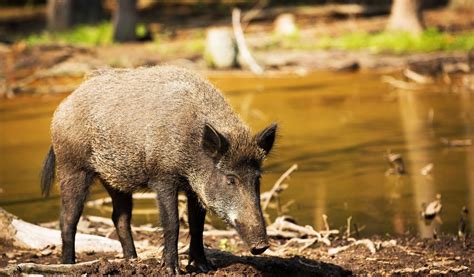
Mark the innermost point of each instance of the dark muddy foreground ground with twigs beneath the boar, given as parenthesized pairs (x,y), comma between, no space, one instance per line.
(445,255)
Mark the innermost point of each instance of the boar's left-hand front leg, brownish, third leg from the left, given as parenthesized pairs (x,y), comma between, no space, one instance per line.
(167,194)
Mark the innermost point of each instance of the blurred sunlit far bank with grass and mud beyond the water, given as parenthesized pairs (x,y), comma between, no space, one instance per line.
(45,63)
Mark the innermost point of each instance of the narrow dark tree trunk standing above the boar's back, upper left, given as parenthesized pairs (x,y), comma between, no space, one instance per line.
(125,20)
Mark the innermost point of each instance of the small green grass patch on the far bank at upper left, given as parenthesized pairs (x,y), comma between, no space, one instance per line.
(94,35)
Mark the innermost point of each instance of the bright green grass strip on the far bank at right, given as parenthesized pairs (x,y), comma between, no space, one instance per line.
(393,42)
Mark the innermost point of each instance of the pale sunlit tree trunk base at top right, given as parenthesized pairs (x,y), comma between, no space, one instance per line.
(406,15)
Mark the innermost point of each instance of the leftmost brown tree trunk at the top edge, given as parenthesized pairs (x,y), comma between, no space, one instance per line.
(59,14)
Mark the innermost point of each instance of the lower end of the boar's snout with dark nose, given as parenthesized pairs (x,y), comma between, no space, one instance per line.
(255,239)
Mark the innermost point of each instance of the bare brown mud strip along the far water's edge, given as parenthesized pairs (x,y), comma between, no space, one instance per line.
(53,69)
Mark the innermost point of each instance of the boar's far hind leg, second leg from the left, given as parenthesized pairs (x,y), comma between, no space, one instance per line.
(121,216)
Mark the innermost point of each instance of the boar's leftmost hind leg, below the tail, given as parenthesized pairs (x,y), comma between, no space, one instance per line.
(74,188)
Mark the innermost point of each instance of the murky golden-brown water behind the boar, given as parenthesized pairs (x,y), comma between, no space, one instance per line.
(336,127)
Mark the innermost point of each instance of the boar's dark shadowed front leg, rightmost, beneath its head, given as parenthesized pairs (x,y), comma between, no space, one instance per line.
(196,217)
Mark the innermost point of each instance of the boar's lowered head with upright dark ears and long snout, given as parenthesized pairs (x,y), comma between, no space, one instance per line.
(232,190)
